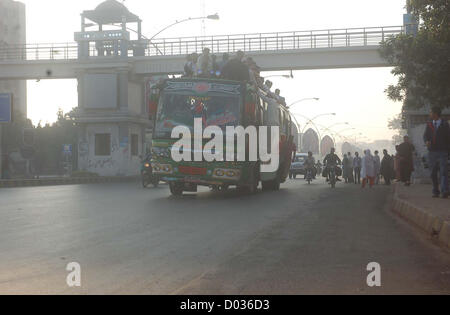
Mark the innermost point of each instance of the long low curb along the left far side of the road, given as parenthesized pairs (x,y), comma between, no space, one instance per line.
(64,181)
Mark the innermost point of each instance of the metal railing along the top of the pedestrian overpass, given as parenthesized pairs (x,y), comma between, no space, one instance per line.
(334,38)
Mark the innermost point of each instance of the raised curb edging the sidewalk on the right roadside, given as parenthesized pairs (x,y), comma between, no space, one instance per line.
(431,224)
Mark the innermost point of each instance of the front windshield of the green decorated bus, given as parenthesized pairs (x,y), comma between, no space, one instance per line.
(181,108)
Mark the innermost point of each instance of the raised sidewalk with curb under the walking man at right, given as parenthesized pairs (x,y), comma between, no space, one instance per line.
(415,205)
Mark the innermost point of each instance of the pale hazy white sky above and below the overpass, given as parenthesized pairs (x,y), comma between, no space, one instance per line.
(356,95)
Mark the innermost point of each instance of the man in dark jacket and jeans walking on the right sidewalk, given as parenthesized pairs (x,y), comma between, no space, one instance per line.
(437,139)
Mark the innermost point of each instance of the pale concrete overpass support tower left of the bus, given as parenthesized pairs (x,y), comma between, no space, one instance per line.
(112,120)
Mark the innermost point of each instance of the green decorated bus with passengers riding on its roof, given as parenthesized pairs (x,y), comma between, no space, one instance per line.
(186,160)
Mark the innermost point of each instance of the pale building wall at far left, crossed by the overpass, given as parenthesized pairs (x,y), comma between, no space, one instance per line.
(13,32)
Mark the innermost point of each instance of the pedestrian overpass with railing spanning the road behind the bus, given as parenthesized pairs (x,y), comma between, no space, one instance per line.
(322,49)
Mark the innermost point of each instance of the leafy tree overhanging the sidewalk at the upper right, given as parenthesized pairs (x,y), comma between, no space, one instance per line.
(422,62)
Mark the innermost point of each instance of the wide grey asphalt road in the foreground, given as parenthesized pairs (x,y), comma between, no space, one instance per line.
(128,240)
